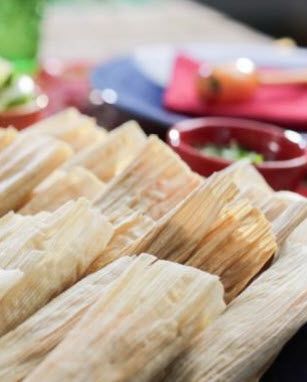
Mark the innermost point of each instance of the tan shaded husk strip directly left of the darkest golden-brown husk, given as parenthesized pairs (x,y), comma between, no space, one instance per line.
(190,221)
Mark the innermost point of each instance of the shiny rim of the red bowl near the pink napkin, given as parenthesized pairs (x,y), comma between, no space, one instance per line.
(191,124)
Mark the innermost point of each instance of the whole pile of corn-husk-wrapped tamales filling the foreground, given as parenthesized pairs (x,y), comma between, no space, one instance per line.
(116,260)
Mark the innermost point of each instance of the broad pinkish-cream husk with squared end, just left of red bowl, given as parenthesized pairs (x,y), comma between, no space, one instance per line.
(152,187)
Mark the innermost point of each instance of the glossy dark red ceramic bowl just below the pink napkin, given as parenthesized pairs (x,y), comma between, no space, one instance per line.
(284,150)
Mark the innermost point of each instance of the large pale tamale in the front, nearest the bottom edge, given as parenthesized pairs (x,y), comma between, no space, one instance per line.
(145,318)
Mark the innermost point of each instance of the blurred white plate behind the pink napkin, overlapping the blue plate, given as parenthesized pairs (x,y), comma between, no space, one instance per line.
(156,61)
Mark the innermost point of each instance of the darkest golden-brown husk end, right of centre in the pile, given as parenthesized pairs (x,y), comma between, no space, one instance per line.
(237,247)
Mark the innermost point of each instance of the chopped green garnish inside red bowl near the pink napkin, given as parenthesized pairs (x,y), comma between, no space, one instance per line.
(232,152)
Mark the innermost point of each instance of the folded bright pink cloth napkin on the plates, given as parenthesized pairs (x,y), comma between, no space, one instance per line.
(284,105)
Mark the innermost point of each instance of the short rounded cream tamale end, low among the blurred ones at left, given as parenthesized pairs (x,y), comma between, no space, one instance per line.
(60,187)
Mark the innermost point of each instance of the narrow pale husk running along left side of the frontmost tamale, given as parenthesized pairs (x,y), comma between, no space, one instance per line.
(22,349)
